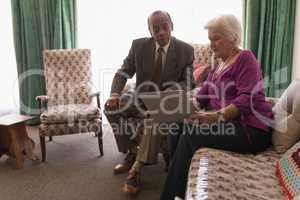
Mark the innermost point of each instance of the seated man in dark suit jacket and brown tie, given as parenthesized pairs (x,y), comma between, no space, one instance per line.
(160,62)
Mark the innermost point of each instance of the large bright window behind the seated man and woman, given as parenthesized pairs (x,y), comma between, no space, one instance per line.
(108,27)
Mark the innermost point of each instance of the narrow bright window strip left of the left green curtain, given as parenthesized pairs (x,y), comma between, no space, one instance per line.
(8,81)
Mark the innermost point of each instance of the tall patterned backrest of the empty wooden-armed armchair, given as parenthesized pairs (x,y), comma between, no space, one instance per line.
(68,76)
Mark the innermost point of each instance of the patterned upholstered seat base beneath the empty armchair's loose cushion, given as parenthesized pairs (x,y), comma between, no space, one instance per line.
(82,126)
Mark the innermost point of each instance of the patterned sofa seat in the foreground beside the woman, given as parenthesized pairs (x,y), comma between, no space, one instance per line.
(216,174)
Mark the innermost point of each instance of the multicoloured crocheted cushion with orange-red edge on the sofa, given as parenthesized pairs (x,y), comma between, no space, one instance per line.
(288,172)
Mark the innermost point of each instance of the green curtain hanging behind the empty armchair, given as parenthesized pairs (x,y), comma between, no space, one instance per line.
(39,25)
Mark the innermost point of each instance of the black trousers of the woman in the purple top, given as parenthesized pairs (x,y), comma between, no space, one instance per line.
(189,138)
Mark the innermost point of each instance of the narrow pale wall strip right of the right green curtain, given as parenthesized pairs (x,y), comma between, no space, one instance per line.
(296,59)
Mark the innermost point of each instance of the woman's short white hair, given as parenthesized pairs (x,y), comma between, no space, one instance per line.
(227,25)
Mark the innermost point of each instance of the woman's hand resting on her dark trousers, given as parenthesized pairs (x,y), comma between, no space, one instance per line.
(203,117)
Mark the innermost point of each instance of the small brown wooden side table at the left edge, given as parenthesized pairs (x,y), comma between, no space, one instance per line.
(14,137)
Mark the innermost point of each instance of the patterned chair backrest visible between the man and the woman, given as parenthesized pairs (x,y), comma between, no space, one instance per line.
(204,55)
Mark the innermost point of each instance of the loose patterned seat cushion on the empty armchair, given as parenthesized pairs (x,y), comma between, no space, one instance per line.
(70,113)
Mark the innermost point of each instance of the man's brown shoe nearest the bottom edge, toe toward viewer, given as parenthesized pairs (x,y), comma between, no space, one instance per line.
(132,184)
